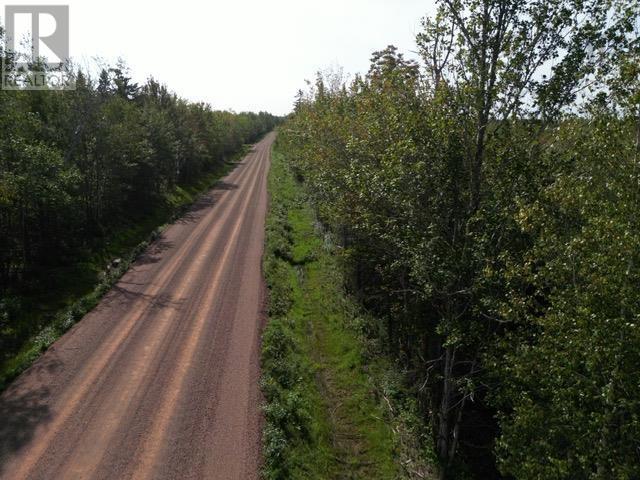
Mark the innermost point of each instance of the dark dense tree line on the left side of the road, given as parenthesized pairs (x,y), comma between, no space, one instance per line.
(73,164)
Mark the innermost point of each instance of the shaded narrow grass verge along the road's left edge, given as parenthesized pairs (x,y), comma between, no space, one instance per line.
(67,293)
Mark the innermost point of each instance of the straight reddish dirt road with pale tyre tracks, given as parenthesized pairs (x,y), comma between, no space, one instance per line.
(160,381)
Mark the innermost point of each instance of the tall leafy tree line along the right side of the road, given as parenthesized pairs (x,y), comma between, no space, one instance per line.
(487,200)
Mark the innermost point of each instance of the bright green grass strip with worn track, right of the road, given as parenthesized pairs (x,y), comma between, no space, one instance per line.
(335,409)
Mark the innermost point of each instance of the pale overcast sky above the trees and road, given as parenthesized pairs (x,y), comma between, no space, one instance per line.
(244,55)
